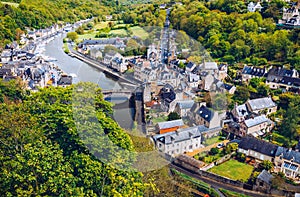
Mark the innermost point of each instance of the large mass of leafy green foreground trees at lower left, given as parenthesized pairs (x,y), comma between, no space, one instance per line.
(47,150)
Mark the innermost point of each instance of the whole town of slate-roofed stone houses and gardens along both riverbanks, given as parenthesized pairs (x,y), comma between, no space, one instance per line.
(203,115)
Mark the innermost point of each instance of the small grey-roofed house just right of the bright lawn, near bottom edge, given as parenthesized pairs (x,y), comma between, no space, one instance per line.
(263,182)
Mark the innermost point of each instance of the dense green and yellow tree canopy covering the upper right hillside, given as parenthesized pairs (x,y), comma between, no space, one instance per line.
(232,34)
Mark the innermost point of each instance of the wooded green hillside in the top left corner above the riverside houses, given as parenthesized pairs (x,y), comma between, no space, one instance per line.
(42,14)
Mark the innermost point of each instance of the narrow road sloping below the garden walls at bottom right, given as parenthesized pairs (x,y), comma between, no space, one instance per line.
(216,184)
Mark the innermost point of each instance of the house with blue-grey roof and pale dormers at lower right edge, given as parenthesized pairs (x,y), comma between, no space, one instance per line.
(288,162)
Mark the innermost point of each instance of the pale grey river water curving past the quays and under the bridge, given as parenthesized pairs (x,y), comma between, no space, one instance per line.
(87,73)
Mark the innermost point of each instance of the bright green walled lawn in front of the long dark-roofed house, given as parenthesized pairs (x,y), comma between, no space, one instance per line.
(234,170)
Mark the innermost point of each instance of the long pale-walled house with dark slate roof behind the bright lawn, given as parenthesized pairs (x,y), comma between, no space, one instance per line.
(258,149)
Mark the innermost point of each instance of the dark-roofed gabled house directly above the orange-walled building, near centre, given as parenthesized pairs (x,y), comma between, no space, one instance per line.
(167,98)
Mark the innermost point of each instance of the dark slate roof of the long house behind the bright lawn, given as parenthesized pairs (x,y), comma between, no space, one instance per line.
(261,146)
